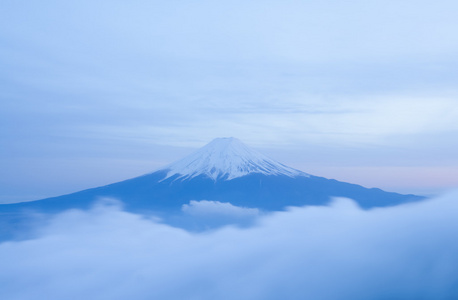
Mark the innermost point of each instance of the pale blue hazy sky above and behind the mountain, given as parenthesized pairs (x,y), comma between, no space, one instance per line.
(361,91)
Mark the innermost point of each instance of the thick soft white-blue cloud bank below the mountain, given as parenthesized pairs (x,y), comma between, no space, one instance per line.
(320,253)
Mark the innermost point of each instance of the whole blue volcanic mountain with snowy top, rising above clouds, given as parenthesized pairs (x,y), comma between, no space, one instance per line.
(225,170)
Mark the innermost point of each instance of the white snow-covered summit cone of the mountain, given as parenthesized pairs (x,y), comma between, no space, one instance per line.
(227,158)
